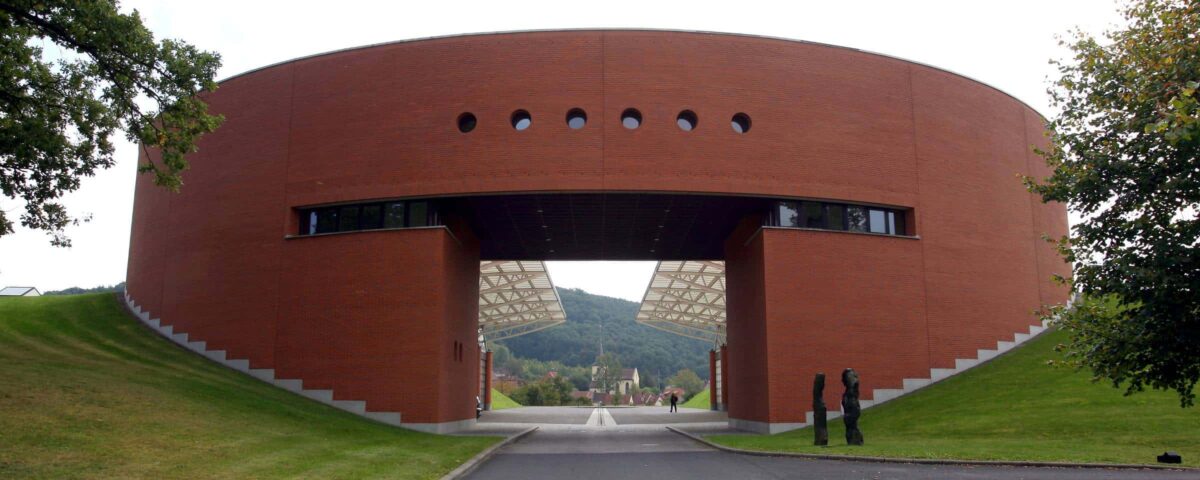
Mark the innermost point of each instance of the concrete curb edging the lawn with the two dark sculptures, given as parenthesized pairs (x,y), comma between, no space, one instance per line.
(928,461)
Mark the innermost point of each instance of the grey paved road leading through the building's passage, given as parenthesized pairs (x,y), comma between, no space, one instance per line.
(567,447)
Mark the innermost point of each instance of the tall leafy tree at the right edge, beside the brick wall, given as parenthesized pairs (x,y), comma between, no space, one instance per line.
(1125,158)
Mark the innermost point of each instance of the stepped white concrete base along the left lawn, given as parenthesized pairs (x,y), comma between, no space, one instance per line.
(295,386)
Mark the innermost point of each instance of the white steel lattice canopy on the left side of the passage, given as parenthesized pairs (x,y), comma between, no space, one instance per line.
(517,298)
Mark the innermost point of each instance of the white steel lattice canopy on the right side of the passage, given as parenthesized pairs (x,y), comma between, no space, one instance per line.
(687,298)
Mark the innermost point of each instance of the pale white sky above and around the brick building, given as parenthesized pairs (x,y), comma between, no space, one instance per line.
(1004,44)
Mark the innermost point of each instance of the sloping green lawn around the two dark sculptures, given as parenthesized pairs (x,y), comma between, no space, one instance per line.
(1016,407)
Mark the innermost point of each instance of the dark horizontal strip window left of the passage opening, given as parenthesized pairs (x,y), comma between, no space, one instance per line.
(369,217)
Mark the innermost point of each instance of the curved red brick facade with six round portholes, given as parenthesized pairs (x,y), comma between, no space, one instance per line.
(375,316)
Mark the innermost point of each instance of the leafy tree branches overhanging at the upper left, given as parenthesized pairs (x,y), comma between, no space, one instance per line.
(59,115)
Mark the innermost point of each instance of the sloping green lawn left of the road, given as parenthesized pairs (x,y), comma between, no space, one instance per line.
(87,392)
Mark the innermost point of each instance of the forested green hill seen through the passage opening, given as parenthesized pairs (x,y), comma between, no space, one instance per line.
(577,343)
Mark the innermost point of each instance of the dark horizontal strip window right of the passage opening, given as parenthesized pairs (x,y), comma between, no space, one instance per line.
(837,217)
